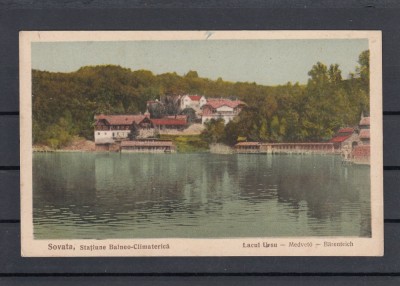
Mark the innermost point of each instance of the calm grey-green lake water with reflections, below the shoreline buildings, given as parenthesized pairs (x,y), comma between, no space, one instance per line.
(113,195)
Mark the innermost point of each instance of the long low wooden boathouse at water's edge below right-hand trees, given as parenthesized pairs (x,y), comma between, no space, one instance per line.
(284,148)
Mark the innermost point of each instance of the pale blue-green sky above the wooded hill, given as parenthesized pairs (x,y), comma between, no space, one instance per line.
(267,62)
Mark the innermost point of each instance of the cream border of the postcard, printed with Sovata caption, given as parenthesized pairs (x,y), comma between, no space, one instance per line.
(269,246)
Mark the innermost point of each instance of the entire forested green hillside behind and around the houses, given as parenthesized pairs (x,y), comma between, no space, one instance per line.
(64,103)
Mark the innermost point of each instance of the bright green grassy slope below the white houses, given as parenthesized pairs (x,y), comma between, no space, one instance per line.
(187,143)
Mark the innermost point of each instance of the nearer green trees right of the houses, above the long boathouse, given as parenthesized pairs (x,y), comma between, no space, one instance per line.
(294,113)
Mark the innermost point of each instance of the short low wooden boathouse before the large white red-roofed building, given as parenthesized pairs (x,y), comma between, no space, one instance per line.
(148,146)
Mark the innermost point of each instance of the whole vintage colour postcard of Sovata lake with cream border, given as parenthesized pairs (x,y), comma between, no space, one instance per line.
(201,143)
